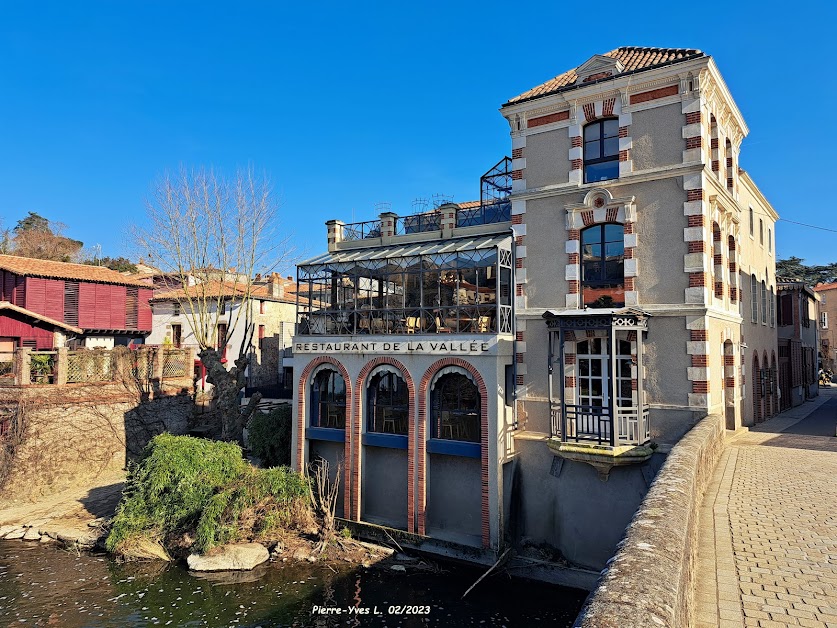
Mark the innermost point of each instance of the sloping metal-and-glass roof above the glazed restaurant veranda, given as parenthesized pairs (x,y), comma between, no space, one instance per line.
(435,247)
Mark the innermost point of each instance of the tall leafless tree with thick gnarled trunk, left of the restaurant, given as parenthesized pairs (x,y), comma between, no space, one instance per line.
(209,236)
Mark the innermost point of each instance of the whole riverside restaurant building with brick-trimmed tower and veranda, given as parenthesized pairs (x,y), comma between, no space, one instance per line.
(499,371)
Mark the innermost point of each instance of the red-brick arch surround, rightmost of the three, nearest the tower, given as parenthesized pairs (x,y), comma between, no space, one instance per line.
(422,441)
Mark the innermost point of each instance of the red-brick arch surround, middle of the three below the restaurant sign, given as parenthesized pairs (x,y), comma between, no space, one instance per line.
(411,419)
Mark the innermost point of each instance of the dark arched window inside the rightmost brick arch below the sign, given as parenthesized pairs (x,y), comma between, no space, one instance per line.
(455,409)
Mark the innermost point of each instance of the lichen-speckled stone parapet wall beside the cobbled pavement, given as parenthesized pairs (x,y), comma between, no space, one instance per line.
(650,580)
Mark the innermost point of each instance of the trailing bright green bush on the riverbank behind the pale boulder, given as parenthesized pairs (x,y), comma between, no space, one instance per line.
(185,485)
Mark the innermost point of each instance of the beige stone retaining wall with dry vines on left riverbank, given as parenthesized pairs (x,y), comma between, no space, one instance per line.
(74,432)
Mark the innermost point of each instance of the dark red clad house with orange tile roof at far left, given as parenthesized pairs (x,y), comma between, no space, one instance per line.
(46,305)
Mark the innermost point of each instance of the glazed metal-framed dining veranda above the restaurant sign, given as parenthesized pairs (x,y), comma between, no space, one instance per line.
(461,286)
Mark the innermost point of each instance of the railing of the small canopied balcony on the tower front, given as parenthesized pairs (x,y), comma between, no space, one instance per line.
(584,423)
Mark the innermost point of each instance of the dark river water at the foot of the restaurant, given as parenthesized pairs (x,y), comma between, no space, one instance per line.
(45,586)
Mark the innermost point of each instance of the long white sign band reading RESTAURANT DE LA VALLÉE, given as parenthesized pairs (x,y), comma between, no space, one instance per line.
(388,347)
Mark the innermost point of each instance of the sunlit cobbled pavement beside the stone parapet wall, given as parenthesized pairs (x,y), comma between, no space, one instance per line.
(767,552)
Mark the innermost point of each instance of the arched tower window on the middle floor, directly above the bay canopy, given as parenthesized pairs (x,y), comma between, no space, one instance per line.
(602,265)
